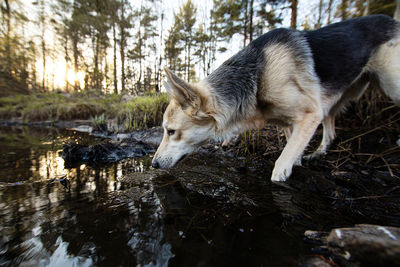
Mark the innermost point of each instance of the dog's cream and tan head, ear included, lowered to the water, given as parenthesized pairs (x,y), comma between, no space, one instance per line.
(187,122)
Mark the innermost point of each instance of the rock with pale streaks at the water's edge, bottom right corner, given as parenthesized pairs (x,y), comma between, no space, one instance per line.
(362,245)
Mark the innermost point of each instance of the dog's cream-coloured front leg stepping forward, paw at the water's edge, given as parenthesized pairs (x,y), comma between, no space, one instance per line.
(303,129)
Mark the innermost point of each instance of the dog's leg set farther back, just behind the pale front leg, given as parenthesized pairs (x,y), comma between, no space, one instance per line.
(328,135)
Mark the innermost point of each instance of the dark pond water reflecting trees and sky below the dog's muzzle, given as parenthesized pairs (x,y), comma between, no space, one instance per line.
(125,214)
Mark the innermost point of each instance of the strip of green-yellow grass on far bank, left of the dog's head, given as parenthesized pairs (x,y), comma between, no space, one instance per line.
(138,113)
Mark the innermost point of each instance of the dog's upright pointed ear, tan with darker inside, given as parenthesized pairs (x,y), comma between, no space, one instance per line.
(181,91)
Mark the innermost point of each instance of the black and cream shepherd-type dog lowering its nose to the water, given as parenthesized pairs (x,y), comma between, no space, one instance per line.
(295,79)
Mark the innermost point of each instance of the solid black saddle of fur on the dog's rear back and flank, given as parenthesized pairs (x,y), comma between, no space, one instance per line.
(342,50)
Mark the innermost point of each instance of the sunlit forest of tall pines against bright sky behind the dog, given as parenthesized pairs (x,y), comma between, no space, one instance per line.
(121,46)
